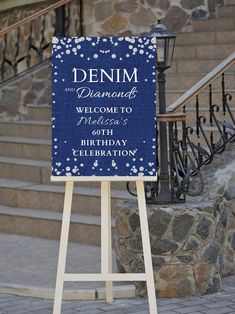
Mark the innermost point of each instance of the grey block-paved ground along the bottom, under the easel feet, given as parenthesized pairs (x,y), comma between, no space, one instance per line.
(219,303)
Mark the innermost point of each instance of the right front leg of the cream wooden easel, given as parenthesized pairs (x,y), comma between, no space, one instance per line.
(146,247)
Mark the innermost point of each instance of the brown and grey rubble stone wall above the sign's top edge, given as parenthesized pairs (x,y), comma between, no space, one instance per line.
(134,17)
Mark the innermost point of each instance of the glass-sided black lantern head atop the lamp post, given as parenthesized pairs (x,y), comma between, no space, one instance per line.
(165,42)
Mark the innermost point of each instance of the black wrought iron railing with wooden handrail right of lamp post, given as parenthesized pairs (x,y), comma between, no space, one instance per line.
(209,128)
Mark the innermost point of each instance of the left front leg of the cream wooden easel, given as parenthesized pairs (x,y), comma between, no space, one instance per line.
(63,247)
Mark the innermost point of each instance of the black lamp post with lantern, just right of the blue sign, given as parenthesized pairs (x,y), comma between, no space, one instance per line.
(165,42)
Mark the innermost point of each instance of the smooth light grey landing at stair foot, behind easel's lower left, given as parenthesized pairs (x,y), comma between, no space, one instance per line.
(32,262)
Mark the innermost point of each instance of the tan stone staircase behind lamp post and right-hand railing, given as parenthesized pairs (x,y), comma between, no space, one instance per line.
(196,54)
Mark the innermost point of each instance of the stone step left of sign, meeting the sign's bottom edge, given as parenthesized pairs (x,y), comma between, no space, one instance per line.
(38,171)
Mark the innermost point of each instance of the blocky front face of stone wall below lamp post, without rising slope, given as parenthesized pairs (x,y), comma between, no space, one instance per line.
(185,243)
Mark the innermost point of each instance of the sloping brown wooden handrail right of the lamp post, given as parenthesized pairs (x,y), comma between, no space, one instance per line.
(200,85)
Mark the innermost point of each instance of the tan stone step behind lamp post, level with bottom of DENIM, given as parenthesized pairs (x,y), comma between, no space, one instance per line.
(179,82)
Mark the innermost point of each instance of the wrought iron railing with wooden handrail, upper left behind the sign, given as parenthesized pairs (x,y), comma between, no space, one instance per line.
(27,42)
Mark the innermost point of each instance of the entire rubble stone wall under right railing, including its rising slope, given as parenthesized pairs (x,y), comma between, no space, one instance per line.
(193,244)
